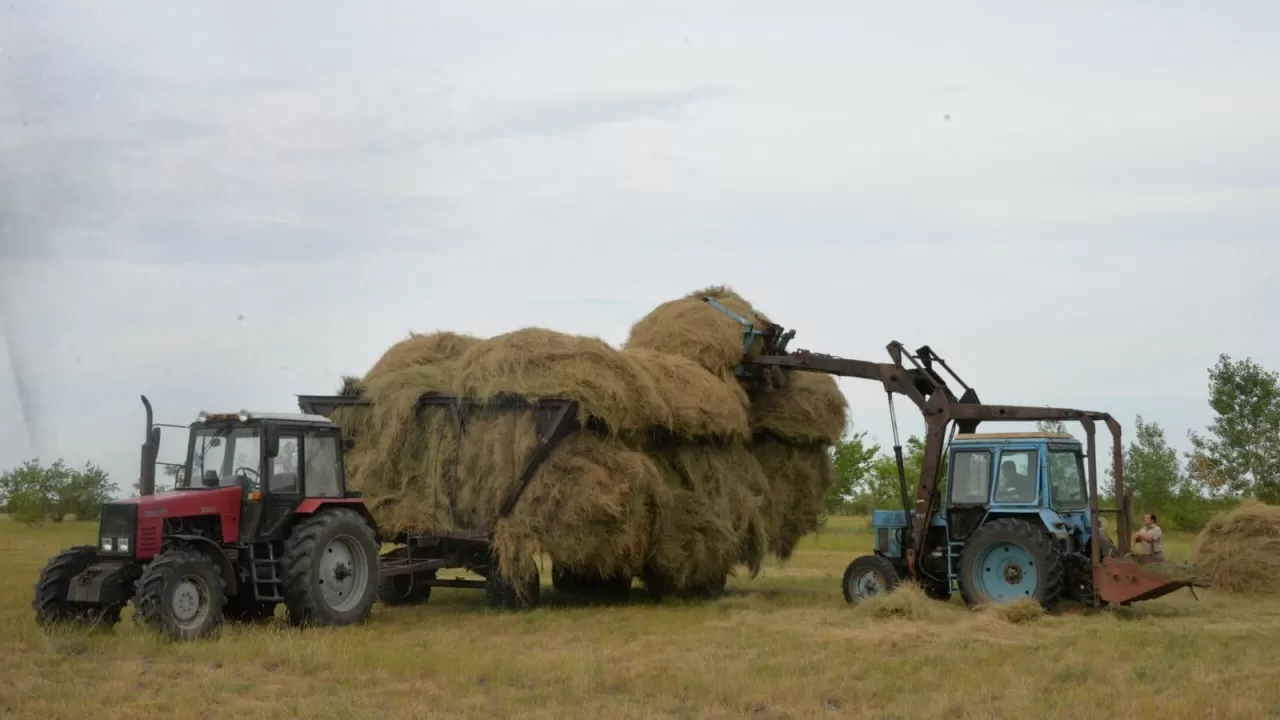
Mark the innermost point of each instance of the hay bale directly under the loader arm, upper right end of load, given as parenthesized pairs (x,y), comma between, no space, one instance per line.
(807,409)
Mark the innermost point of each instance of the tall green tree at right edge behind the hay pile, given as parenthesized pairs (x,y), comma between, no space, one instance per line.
(1241,453)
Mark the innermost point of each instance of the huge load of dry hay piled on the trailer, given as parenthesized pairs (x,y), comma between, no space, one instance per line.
(682,475)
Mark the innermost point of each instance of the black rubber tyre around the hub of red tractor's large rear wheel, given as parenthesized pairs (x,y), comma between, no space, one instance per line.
(299,581)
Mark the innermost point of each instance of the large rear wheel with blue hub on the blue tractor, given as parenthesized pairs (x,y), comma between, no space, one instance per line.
(1012,559)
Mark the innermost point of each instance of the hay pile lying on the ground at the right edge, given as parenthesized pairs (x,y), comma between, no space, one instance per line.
(1240,552)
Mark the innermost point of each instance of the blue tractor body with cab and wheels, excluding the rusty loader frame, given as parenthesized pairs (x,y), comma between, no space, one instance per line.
(1017,523)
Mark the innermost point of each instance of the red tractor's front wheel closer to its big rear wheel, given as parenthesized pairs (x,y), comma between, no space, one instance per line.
(181,595)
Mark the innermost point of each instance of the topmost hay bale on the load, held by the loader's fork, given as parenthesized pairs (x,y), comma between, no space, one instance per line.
(693,329)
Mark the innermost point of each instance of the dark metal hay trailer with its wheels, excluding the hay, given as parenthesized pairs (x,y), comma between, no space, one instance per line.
(409,572)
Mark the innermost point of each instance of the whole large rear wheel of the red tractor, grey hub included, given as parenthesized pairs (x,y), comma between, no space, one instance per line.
(331,569)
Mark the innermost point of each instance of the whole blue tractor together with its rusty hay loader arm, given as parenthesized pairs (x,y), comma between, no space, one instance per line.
(1030,530)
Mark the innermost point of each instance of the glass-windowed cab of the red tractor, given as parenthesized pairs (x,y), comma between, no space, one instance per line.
(276,459)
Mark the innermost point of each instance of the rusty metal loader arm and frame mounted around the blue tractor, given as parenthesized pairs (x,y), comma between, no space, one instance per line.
(1114,581)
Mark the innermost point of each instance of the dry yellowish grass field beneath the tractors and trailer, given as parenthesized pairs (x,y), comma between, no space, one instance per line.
(784,645)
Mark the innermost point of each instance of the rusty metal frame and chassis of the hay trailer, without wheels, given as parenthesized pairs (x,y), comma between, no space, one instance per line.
(423,555)
